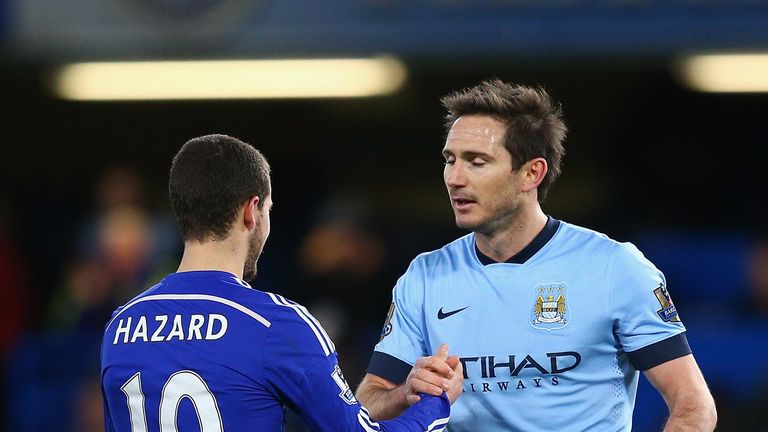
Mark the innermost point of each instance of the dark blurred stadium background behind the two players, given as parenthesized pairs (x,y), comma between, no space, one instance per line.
(656,156)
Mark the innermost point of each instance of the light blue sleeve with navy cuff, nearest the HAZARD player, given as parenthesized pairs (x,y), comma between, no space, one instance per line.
(402,338)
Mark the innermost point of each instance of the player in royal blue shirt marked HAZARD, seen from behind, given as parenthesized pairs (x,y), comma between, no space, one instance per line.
(202,350)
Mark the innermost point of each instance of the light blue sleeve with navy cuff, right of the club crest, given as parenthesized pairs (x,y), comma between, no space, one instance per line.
(646,321)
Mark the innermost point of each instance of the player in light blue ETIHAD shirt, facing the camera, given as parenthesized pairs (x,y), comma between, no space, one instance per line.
(551,321)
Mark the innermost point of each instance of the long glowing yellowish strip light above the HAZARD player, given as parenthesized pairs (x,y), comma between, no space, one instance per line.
(230,79)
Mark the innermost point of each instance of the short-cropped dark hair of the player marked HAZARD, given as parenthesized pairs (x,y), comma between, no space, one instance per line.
(211,177)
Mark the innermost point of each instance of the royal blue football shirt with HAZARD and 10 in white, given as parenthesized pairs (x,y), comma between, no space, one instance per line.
(204,351)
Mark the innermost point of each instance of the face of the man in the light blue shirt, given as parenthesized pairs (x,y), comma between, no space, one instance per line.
(483,188)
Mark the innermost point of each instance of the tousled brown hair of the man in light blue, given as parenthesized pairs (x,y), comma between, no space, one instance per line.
(534,123)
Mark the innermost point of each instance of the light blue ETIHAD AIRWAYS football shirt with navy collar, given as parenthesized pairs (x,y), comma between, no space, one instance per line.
(550,340)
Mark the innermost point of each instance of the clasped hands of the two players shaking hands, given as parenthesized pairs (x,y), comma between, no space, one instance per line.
(434,375)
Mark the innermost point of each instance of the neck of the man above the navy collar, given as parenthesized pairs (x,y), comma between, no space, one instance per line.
(506,242)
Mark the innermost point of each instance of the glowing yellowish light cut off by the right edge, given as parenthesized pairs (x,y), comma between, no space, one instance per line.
(725,73)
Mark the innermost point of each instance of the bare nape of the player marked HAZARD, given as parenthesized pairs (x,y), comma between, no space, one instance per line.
(222,255)
